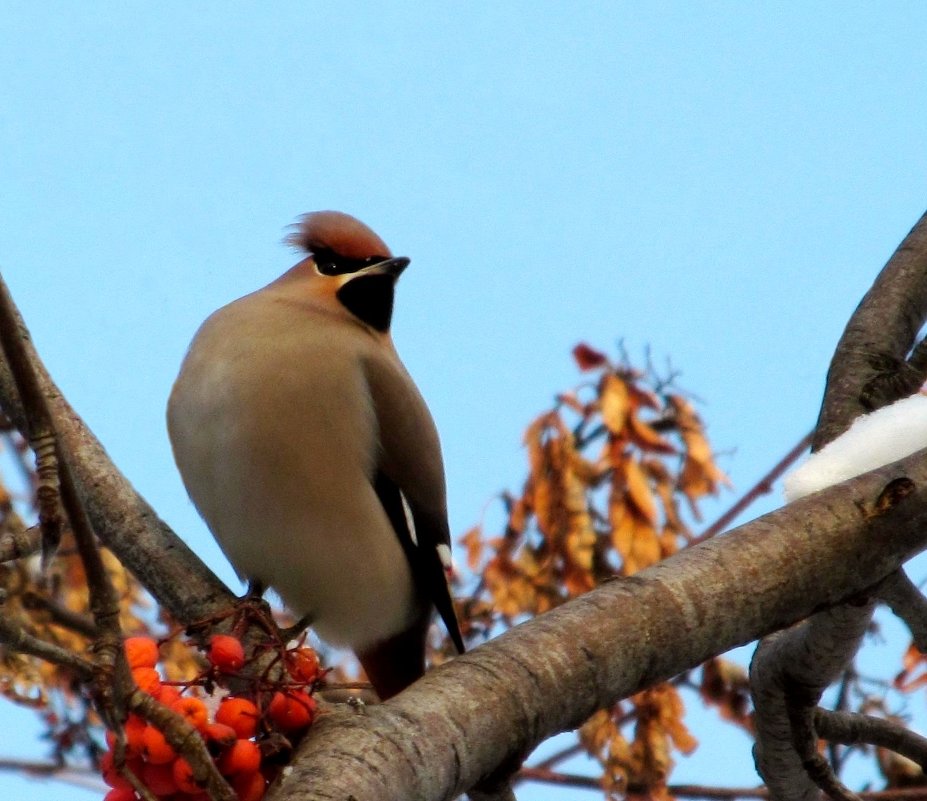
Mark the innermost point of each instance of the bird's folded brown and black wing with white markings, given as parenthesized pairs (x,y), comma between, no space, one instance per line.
(410,483)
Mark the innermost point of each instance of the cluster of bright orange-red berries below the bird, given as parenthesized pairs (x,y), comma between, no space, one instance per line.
(241,732)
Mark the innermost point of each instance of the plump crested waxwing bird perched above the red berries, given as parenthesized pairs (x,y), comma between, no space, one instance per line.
(309,452)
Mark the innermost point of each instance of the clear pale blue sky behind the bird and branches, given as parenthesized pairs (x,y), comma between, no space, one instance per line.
(719,181)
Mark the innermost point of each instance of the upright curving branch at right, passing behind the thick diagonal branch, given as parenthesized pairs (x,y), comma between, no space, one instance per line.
(868,370)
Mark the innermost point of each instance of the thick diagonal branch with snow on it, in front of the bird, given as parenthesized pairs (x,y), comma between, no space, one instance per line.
(493,705)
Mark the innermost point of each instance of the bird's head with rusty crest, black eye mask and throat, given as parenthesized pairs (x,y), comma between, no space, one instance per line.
(350,265)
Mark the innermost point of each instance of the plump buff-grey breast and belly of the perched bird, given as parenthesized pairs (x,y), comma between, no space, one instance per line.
(275,435)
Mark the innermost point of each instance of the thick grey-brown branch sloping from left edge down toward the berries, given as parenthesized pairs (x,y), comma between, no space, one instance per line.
(119,515)
